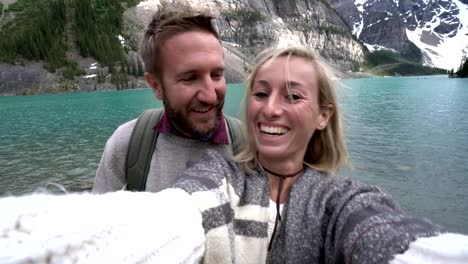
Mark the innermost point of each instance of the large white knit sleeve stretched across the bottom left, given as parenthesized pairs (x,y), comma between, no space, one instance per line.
(118,227)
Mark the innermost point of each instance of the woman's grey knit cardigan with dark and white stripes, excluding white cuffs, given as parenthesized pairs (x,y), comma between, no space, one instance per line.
(325,220)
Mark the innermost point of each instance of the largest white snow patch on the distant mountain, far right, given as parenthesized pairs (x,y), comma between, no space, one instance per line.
(449,52)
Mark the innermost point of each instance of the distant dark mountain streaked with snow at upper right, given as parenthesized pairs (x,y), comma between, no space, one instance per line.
(439,28)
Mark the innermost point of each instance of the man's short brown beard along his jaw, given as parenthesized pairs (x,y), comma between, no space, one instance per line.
(184,124)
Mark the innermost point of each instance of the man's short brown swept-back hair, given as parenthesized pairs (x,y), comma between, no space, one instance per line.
(167,22)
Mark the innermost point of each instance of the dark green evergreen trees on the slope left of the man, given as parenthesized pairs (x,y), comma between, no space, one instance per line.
(44,30)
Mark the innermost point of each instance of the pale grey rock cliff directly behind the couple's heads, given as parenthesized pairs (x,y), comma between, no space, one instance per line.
(311,22)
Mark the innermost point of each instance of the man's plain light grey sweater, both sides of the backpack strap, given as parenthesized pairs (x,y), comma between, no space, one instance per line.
(169,159)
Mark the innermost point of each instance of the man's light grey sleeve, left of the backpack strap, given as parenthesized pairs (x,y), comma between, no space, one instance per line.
(111,175)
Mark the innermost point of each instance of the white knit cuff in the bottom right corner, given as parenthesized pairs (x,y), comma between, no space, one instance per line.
(447,248)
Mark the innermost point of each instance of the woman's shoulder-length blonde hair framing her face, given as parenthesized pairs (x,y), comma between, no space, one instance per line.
(326,150)
